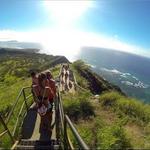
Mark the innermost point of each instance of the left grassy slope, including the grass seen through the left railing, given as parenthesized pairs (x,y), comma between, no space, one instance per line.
(14,74)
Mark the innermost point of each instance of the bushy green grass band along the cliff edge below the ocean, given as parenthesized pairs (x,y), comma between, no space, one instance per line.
(126,106)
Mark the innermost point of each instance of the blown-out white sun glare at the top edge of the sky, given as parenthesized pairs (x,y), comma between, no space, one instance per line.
(66,13)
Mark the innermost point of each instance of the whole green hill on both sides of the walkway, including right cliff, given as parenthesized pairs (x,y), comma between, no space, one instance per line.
(104,116)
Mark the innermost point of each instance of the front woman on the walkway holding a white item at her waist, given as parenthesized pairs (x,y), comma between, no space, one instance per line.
(44,95)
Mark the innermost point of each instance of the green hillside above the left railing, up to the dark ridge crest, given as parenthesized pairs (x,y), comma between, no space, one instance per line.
(15,67)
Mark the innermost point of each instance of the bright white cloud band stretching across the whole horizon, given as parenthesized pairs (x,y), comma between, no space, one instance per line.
(68,42)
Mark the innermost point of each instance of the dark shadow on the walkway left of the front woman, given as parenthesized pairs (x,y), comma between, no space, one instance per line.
(29,124)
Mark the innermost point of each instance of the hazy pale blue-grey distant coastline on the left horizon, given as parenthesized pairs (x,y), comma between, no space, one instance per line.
(20,45)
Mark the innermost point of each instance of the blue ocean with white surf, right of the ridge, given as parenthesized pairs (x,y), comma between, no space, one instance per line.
(130,72)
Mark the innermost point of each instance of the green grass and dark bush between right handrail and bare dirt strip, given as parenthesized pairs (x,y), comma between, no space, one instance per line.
(93,129)
